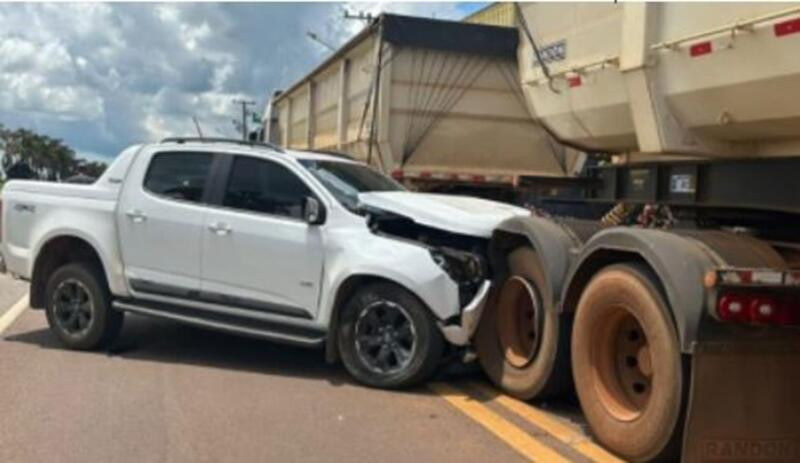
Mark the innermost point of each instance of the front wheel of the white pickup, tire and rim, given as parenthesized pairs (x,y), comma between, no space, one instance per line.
(388,338)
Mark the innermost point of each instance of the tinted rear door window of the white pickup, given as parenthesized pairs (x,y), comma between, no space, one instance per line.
(179,175)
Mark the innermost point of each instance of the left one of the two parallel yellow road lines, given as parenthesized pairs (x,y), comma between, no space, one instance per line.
(512,435)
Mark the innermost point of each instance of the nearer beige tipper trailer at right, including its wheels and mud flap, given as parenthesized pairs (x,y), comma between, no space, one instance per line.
(675,317)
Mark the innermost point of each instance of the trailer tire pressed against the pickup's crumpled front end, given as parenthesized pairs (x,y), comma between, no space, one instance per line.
(522,342)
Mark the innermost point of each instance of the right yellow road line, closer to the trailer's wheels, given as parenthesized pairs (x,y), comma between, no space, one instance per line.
(565,432)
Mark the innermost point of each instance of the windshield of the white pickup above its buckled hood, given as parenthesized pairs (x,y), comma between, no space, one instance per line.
(346,180)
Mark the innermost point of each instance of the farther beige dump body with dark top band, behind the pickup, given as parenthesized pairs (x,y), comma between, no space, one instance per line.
(445,102)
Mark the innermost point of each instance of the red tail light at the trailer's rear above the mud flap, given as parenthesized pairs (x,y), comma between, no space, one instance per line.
(758,309)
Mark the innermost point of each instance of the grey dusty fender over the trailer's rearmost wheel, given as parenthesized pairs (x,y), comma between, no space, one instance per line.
(680,260)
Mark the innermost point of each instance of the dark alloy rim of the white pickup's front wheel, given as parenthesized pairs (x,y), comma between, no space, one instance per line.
(385,337)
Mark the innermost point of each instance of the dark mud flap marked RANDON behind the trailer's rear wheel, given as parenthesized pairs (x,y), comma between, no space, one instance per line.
(744,403)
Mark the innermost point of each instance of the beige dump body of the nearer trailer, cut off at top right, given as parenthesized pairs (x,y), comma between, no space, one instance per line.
(669,78)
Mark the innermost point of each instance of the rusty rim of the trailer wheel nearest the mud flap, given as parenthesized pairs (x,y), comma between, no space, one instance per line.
(624,369)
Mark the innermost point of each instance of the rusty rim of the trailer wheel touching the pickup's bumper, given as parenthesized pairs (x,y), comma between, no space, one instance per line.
(518,321)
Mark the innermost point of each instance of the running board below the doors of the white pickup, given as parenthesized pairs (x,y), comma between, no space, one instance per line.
(303,337)
